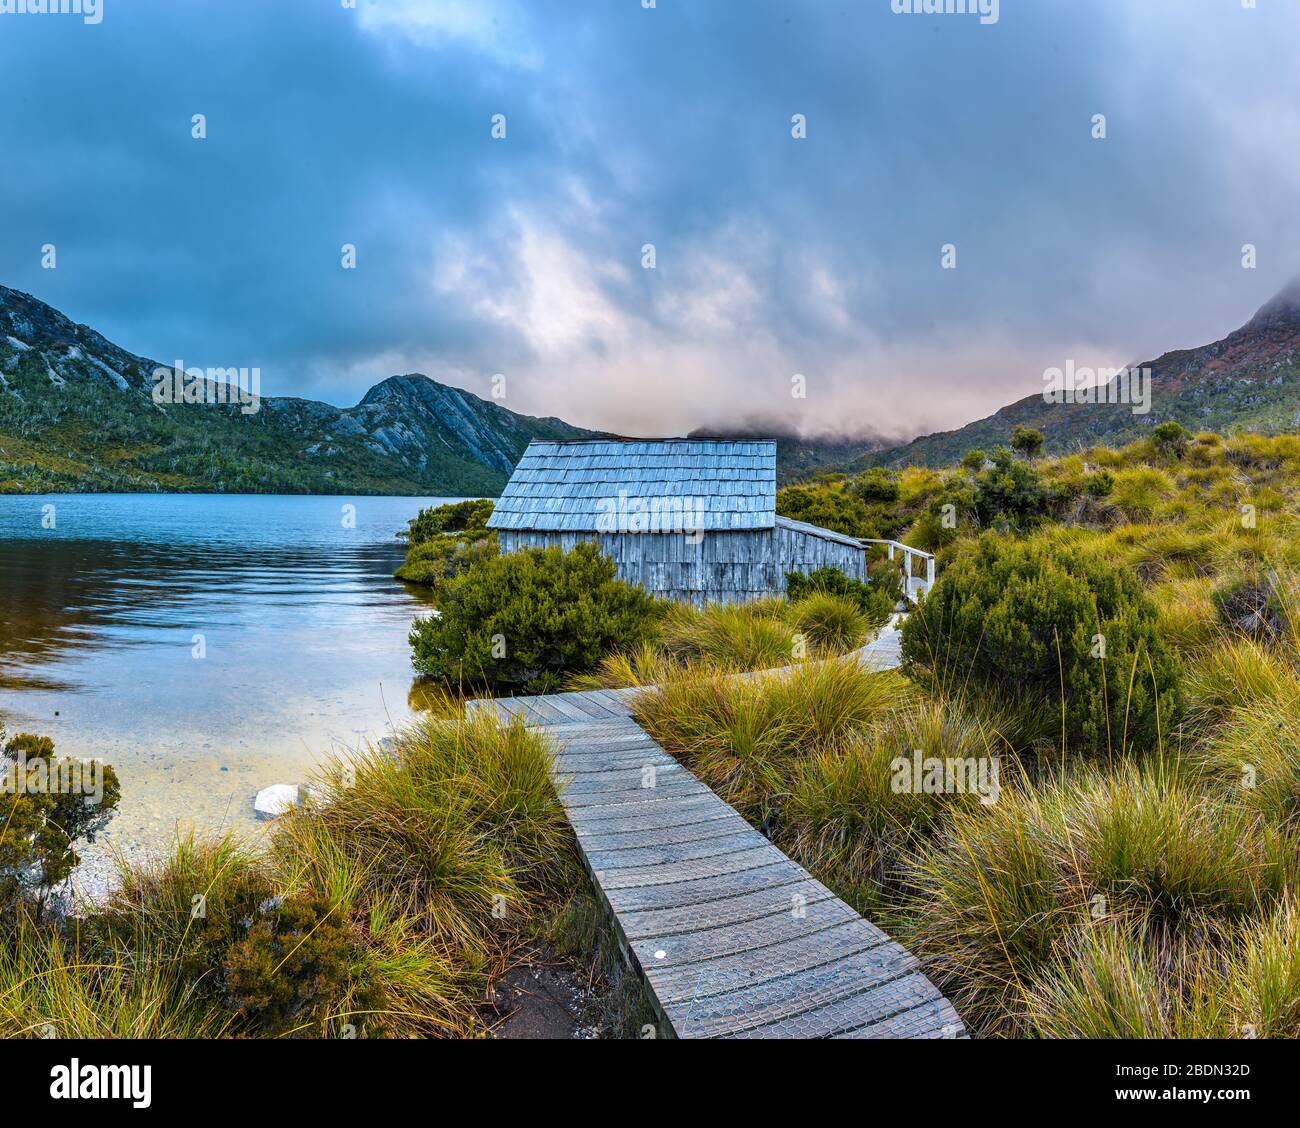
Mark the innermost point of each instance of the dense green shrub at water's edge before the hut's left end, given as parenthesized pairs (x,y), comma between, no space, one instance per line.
(528,621)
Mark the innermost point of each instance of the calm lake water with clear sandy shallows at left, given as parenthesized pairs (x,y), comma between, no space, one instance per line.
(293,606)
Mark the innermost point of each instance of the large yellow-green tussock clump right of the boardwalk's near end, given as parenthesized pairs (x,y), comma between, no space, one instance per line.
(1004,892)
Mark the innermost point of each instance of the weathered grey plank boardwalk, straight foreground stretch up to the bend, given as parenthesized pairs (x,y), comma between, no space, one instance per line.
(734,939)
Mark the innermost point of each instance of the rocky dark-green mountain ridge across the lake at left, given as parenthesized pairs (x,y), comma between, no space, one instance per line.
(77,415)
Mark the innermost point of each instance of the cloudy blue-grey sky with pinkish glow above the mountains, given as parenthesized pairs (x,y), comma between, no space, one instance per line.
(669,127)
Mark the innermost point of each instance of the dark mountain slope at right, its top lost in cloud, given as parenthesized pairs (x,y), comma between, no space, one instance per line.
(1247,381)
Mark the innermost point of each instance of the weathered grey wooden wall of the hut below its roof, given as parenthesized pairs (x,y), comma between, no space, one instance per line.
(721,569)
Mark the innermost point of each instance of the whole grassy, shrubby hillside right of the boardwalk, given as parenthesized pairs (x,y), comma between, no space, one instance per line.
(1103,834)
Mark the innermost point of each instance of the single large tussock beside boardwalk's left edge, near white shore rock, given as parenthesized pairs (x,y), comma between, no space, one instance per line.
(462,823)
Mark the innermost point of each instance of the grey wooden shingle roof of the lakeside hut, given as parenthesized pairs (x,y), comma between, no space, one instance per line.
(577,487)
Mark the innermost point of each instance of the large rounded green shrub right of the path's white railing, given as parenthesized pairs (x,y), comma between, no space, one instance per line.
(1041,622)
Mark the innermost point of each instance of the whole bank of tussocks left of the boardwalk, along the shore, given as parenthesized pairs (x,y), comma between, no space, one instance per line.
(387,904)
